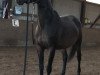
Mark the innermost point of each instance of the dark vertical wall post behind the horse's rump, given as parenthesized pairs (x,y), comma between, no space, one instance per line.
(83,10)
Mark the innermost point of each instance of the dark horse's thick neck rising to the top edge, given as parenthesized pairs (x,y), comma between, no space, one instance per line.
(45,12)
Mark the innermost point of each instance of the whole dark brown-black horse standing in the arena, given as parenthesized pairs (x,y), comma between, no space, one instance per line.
(56,33)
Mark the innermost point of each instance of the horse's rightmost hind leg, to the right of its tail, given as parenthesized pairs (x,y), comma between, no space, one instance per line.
(79,56)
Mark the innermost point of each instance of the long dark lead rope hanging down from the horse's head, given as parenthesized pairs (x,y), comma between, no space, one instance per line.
(26,45)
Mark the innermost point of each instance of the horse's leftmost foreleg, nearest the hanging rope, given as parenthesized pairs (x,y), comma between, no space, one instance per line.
(41,60)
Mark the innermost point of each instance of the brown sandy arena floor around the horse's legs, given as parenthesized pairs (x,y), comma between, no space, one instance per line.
(11,62)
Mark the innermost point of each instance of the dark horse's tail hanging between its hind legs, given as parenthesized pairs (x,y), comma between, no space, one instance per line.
(76,47)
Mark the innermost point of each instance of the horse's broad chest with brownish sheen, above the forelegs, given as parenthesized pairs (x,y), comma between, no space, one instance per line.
(46,36)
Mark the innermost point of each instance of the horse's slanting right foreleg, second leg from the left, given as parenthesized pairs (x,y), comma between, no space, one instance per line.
(51,57)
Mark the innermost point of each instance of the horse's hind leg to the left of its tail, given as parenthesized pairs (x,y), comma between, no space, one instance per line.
(64,53)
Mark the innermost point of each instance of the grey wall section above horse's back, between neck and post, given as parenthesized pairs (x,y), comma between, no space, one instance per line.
(67,7)
